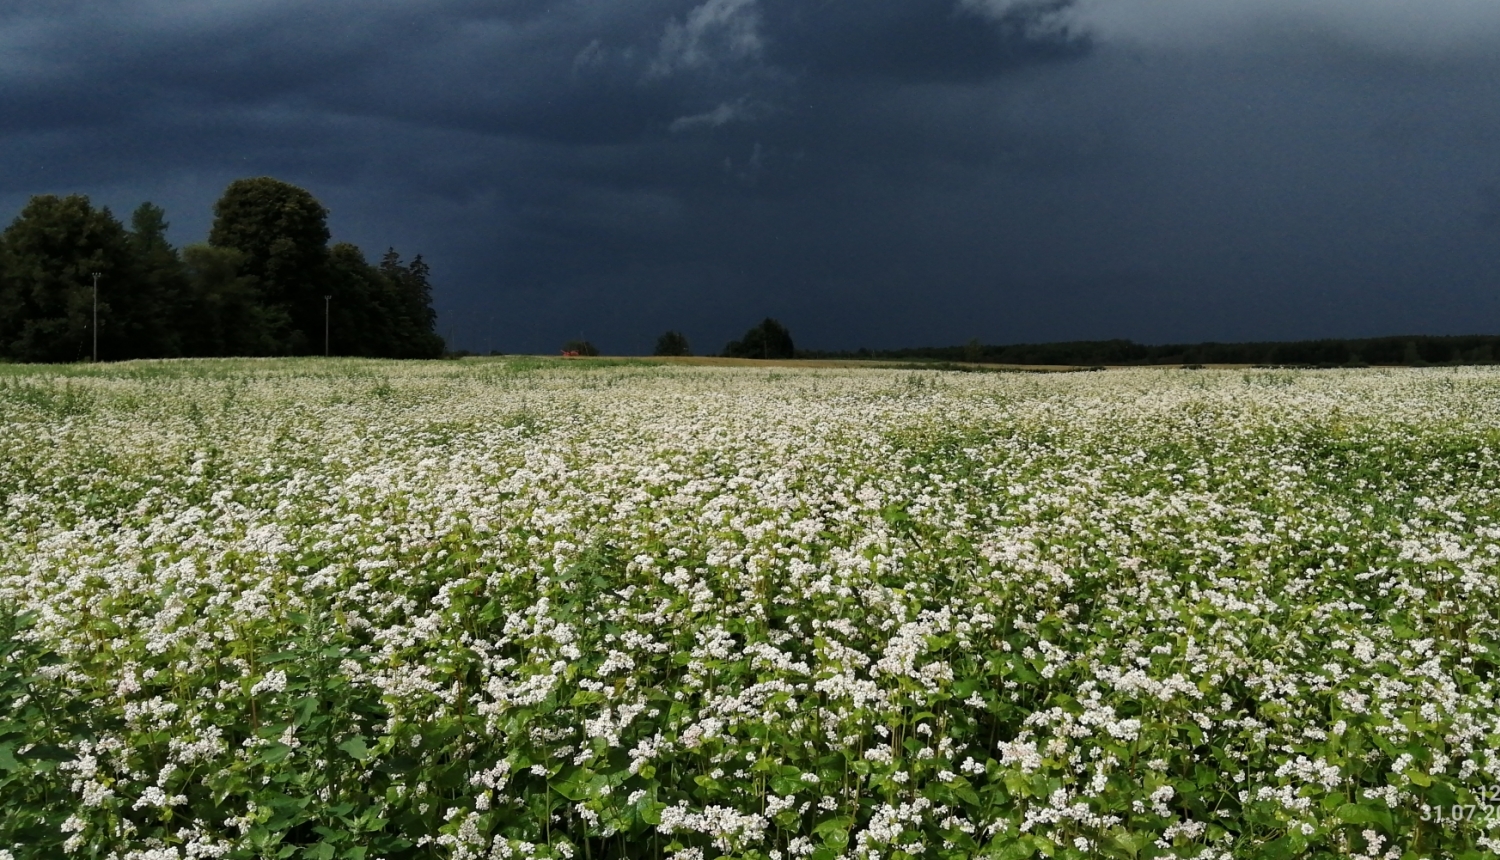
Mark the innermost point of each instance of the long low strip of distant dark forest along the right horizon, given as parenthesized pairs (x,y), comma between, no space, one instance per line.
(1415,350)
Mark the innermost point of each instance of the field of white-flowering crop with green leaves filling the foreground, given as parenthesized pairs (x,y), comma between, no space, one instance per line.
(520,609)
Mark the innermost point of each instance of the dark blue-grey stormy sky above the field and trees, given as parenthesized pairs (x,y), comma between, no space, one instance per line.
(871,172)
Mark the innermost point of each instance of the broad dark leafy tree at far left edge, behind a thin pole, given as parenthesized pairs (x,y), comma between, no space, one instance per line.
(47,295)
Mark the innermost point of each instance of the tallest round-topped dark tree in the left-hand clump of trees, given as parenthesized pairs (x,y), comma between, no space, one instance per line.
(284,235)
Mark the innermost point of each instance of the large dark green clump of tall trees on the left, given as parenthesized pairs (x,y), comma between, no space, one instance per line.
(265,284)
